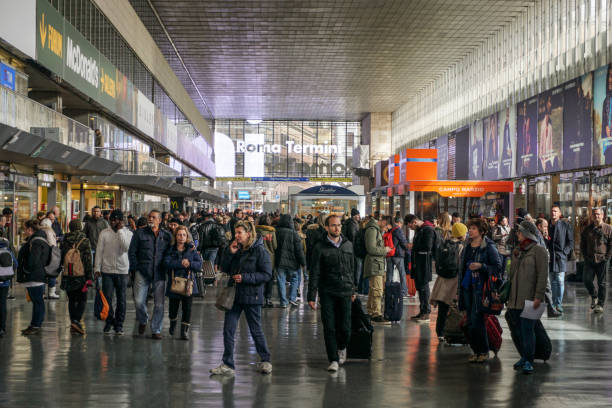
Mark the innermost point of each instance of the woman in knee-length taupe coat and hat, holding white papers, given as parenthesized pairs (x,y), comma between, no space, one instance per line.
(528,277)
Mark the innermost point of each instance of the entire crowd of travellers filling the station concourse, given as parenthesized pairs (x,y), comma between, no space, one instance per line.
(480,267)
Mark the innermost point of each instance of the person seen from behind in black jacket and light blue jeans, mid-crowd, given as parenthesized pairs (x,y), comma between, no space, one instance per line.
(288,258)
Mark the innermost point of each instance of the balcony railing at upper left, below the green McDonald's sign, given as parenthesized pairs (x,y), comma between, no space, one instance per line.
(28,115)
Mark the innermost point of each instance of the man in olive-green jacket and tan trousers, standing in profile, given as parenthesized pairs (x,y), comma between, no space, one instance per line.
(374,267)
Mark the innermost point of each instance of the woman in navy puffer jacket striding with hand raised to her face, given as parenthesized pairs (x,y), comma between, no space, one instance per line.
(248,263)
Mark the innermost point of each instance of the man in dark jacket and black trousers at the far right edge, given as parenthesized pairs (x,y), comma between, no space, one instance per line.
(596,248)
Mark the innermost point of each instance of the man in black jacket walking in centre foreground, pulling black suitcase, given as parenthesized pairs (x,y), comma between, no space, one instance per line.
(332,277)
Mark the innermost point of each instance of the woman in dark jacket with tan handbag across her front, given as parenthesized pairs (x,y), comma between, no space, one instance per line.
(182,260)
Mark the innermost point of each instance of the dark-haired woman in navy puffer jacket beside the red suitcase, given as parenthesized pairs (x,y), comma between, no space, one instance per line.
(480,261)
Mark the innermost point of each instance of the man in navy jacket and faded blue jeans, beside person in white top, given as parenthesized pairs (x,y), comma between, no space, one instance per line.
(146,254)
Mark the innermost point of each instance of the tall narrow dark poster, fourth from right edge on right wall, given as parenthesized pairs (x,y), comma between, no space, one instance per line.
(527,137)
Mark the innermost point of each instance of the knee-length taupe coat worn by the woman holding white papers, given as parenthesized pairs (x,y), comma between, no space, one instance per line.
(528,274)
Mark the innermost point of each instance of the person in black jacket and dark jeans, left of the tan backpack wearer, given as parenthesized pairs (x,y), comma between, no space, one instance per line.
(33,257)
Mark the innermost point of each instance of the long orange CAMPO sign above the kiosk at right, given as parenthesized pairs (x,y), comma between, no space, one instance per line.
(460,188)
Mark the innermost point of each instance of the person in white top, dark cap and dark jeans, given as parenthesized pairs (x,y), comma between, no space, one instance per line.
(112,264)
